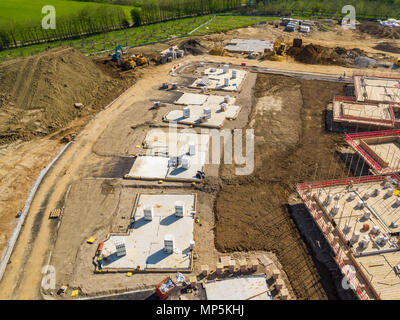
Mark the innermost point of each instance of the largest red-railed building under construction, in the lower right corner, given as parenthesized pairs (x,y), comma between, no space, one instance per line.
(359,217)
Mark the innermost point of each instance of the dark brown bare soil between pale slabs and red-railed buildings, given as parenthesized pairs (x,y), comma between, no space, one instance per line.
(252,212)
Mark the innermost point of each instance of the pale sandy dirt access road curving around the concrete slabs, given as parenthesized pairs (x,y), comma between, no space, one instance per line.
(37,234)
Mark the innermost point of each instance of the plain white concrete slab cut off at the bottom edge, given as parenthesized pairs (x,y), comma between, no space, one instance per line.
(244,288)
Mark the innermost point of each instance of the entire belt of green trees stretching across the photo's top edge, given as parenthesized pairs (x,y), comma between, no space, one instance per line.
(101,19)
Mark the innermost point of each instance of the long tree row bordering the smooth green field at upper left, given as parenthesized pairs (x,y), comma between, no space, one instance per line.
(101,19)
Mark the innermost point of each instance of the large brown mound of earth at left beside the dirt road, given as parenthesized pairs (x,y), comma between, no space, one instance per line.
(38,94)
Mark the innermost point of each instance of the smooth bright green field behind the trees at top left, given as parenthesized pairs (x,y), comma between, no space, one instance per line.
(26,10)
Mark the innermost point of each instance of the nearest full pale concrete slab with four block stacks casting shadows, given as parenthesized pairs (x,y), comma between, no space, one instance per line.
(145,242)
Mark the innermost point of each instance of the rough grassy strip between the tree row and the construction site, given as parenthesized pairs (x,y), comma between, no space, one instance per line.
(142,35)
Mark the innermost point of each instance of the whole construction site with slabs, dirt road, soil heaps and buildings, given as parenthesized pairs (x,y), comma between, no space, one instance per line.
(128,190)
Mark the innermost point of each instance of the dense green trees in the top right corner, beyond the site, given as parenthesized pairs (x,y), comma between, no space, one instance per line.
(364,8)
